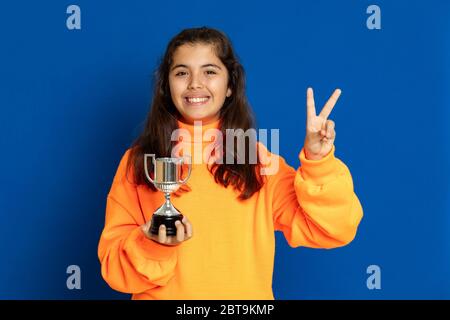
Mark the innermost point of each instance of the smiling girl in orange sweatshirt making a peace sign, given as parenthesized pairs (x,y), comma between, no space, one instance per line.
(224,247)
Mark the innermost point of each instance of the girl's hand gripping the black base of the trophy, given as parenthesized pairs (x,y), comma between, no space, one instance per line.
(184,232)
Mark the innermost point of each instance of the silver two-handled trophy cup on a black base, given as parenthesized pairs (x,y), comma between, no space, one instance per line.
(167,179)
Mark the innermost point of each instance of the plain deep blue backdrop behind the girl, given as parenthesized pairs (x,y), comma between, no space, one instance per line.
(72,102)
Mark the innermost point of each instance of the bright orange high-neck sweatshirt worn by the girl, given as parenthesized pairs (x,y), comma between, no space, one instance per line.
(231,253)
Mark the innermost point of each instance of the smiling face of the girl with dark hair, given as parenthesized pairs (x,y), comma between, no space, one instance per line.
(198,82)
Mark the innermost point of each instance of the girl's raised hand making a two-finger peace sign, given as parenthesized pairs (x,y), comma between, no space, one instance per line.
(320,134)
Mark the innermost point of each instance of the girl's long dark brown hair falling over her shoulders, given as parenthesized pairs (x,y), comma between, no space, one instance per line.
(234,114)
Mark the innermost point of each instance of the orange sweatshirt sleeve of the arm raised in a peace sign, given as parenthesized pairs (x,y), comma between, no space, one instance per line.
(315,206)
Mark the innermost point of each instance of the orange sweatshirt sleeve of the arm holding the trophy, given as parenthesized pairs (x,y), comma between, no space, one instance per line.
(130,262)
